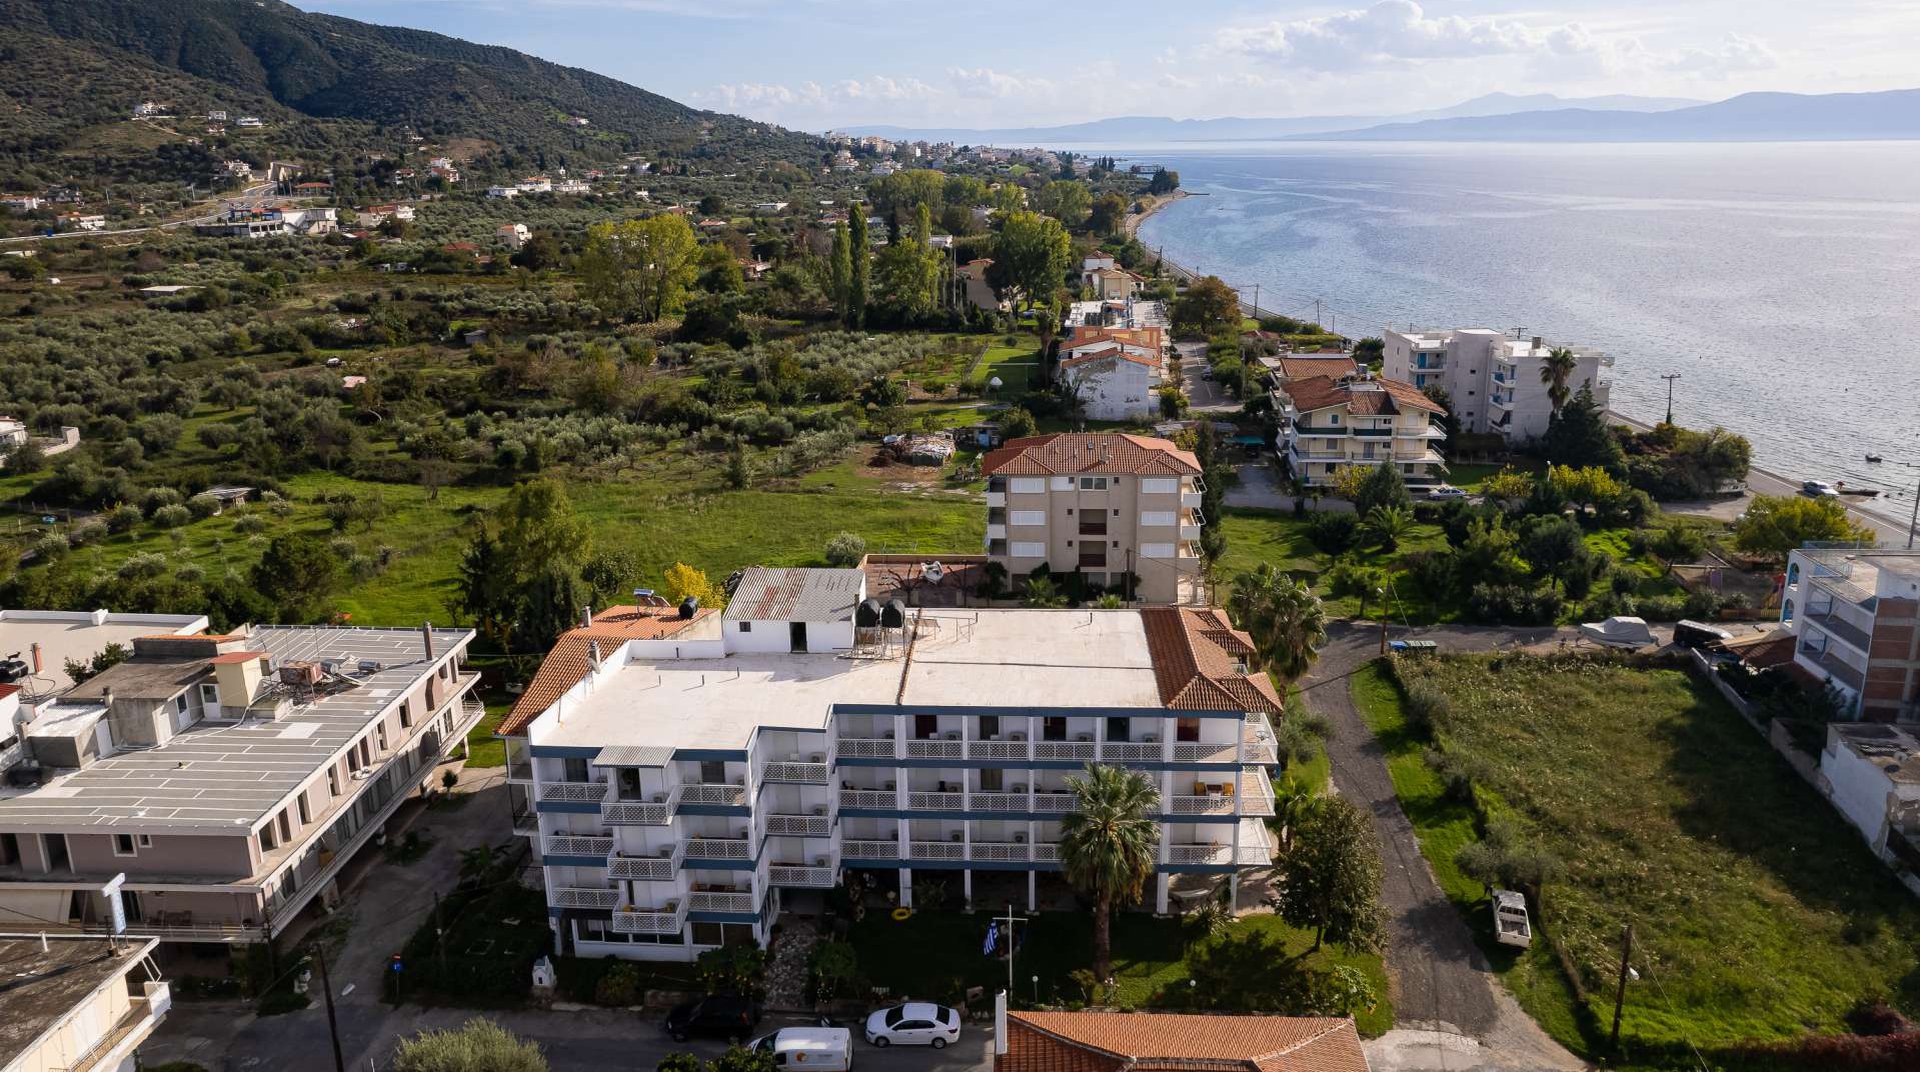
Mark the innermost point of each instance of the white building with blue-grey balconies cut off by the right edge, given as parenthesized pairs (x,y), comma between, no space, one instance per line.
(1856,618)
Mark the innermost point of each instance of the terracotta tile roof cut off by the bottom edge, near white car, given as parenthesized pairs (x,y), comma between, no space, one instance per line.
(1166,1042)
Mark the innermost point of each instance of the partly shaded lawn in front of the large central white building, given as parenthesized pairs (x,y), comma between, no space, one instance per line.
(924,956)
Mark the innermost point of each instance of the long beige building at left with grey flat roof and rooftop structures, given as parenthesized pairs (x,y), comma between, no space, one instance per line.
(228,779)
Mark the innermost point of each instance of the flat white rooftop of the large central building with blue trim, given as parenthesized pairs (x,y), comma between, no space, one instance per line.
(1055,660)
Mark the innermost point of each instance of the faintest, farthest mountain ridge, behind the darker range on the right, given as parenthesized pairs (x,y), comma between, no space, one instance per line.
(1249,130)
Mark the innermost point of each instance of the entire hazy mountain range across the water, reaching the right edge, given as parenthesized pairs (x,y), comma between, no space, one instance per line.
(1504,118)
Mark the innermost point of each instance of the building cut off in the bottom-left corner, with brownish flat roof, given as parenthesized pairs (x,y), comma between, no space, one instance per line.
(78,1004)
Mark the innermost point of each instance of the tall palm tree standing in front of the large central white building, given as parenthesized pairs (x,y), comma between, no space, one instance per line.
(1109,844)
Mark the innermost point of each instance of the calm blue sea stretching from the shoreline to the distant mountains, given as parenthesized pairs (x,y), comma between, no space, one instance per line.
(1781,281)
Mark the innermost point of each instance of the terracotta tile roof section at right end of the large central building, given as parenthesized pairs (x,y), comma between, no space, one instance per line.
(1199,662)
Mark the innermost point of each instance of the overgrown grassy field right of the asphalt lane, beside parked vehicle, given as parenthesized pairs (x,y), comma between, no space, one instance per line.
(1758,914)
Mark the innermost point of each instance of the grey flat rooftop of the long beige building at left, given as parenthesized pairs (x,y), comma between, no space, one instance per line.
(226,777)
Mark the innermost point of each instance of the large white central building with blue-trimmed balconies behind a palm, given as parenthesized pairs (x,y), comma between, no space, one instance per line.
(684,785)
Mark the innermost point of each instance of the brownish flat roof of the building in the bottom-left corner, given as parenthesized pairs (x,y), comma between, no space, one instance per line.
(43,988)
